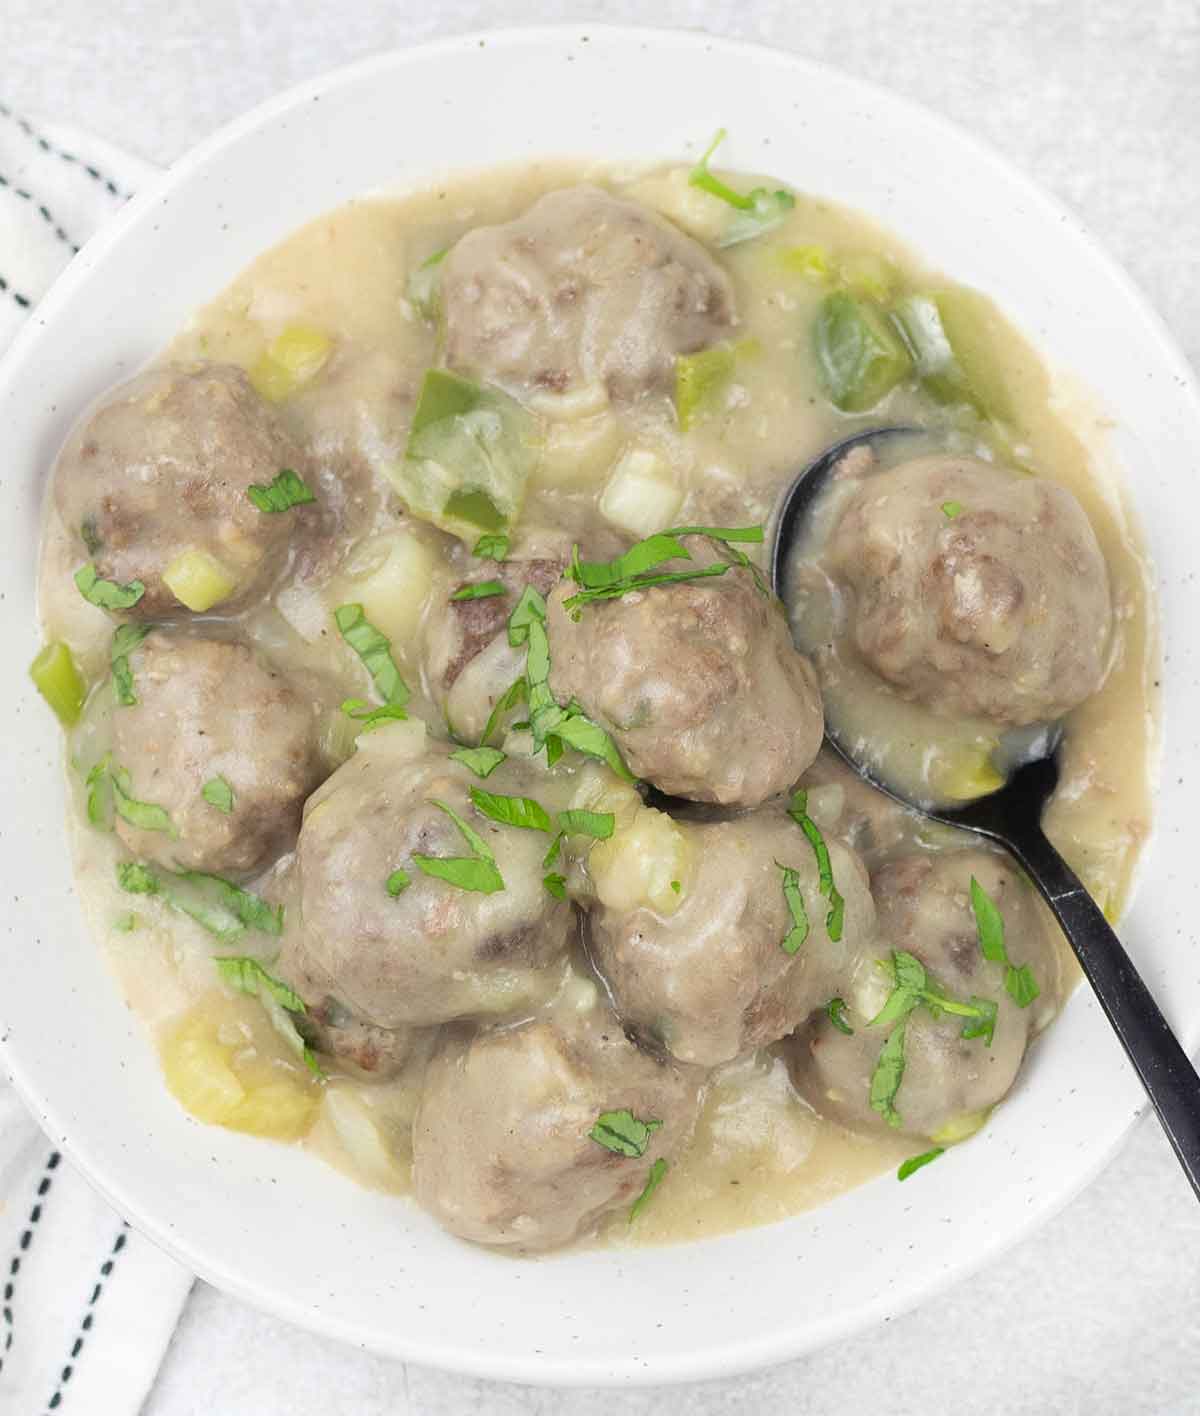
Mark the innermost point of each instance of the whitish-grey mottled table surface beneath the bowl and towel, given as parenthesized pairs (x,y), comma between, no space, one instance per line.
(1100,100)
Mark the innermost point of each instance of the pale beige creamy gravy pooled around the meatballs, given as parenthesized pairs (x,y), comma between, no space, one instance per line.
(759,1152)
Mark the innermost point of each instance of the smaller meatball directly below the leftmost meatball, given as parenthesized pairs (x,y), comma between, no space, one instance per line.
(225,743)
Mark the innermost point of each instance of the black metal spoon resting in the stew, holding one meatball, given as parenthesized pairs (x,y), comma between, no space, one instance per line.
(1012,816)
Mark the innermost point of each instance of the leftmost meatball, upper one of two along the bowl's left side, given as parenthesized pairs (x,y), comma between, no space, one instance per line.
(162,469)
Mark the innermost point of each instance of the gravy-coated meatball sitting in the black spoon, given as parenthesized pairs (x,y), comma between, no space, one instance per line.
(975,591)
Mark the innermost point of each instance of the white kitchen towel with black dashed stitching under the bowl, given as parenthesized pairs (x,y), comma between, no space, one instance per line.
(89,1305)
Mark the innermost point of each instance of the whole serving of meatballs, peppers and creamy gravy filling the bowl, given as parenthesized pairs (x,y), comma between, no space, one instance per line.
(379,603)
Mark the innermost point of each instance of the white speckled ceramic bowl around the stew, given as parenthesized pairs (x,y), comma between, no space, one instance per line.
(271,1224)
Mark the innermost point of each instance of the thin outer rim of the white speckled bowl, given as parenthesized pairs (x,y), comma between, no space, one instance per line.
(739,1356)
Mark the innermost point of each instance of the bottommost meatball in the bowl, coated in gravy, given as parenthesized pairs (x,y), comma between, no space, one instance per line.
(502,1146)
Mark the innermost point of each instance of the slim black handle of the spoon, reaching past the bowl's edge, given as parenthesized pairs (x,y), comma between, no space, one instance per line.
(1161,1063)
